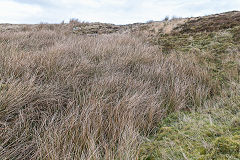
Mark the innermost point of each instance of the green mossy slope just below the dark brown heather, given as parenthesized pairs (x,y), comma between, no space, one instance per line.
(217,52)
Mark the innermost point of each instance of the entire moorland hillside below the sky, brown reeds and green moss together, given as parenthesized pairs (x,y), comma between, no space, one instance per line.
(156,90)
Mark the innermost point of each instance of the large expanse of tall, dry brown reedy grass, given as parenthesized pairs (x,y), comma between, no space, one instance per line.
(66,96)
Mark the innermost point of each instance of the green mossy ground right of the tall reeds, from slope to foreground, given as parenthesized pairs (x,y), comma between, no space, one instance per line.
(212,132)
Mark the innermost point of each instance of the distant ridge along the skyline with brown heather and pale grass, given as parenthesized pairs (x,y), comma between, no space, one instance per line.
(197,24)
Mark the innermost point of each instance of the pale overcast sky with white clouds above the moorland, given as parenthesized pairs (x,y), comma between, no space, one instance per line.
(110,11)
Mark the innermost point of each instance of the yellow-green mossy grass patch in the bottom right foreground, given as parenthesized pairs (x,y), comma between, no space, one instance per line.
(202,135)
